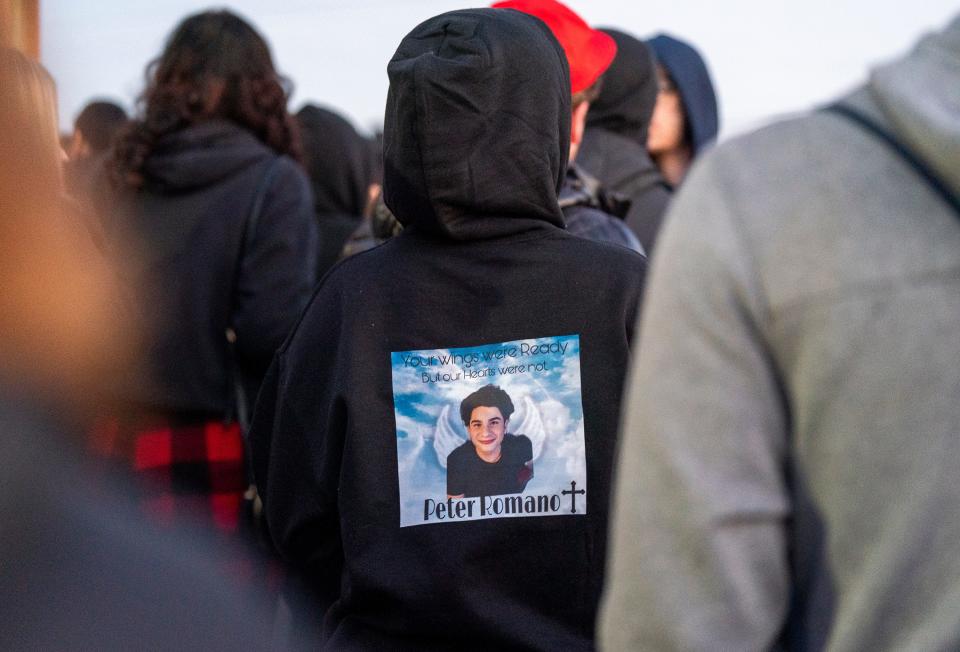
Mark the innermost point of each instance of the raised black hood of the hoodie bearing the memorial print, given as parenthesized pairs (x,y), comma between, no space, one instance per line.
(477,125)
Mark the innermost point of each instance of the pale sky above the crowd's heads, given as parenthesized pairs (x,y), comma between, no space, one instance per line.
(767,57)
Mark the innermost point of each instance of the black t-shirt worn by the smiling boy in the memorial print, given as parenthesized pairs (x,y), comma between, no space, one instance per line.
(469,475)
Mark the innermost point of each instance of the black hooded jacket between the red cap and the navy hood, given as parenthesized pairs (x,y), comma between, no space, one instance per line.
(614,147)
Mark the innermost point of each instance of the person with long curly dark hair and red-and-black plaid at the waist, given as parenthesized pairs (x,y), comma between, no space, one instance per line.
(207,179)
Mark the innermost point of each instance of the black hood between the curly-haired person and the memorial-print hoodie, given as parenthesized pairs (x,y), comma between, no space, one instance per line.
(341,168)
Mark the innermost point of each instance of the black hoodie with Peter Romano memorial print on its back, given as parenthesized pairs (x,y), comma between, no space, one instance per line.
(362,406)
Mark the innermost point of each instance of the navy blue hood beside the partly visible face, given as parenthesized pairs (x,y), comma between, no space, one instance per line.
(689,73)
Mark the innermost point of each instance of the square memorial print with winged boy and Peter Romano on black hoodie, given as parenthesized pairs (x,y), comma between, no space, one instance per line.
(491,431)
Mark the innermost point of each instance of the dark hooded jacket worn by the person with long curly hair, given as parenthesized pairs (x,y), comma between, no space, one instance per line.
(190,218)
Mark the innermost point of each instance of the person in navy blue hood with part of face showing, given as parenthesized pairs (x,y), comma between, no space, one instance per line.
(685,118)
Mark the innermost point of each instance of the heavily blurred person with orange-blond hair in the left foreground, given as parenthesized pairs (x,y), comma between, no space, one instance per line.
(80,569)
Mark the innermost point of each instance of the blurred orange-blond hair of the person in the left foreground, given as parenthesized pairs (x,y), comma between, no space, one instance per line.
(59,330)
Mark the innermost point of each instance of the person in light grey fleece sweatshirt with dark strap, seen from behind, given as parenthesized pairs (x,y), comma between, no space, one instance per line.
(790,464)
